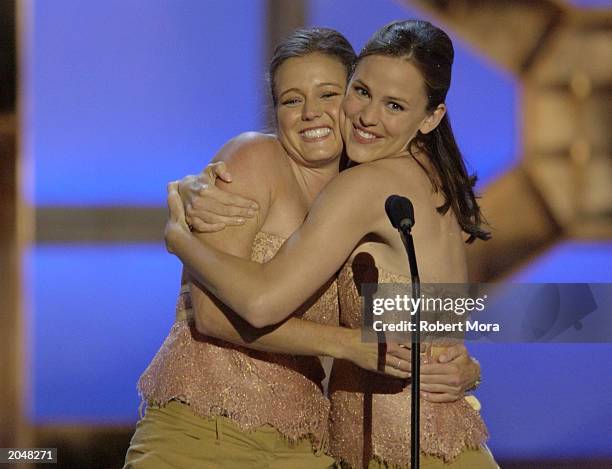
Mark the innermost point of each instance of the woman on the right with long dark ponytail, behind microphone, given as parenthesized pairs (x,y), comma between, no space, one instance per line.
(395,125)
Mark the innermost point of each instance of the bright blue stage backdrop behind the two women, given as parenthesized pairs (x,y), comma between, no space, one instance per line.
(123,96)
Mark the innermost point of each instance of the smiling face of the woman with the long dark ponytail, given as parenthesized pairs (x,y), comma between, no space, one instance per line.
(384,107)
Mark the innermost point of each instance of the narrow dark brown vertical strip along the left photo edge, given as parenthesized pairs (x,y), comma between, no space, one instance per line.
(13,428)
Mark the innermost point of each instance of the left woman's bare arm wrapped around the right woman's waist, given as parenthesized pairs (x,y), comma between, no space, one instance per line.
(294,336)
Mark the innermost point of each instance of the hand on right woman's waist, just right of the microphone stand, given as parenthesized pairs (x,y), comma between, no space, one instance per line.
(447,379)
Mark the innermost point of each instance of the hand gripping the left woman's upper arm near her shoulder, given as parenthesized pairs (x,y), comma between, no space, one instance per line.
(208,208)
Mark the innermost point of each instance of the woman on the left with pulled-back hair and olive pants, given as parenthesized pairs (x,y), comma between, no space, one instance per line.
(220,393)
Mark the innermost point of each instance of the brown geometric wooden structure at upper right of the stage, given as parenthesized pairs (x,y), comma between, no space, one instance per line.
(562,185)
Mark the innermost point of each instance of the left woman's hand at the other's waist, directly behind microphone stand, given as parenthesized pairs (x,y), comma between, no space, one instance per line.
(389,359)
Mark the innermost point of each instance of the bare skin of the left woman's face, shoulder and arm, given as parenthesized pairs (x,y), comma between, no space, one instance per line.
(284,183)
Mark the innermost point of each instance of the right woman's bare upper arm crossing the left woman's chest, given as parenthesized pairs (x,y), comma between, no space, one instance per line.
(342,215)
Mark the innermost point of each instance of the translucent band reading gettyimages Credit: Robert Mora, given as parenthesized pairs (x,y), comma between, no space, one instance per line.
(489,312)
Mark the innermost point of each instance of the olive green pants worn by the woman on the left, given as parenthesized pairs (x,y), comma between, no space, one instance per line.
(174,437)
